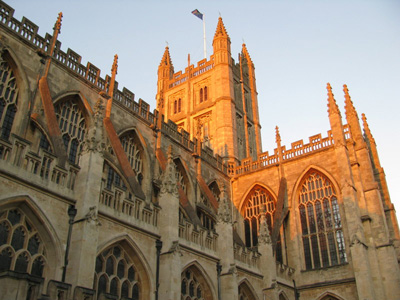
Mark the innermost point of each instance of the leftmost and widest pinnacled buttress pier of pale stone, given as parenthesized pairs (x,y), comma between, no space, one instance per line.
(85,230)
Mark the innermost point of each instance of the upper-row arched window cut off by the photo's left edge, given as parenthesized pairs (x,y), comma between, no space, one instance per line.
(8,99)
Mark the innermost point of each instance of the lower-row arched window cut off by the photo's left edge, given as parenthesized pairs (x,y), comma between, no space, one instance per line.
(22,247)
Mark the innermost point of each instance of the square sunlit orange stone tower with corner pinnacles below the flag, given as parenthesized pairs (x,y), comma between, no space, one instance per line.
(216,101)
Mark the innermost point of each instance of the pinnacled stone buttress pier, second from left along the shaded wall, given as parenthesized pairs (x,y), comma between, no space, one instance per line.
(170,260)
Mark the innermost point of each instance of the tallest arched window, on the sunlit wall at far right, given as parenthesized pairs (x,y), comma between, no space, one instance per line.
(321,225)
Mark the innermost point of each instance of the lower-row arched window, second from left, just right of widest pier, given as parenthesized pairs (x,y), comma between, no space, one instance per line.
(116,274)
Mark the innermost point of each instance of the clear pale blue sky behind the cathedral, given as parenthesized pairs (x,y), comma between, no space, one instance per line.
(296,46)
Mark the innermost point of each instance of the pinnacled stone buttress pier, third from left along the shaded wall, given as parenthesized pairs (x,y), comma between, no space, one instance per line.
(224,228)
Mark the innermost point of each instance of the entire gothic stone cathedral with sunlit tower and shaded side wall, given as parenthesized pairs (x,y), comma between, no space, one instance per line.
(102,198)
